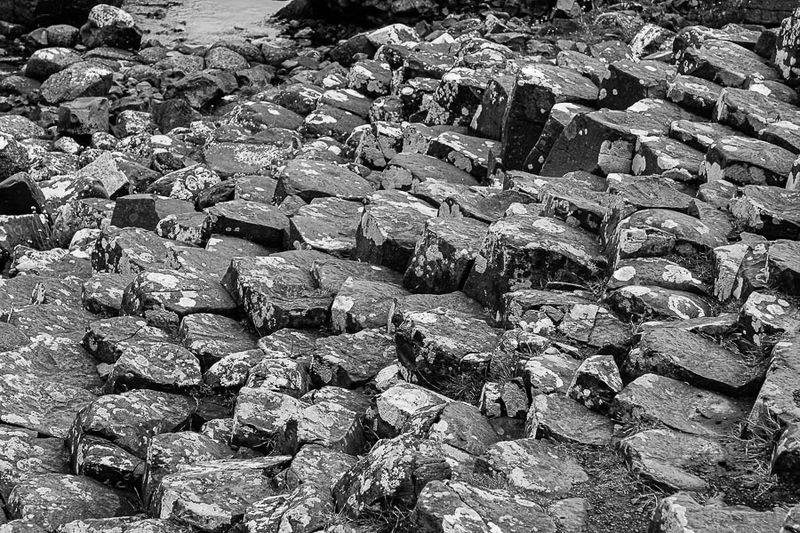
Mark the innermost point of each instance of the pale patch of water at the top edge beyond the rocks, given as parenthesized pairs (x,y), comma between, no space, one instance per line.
(204,21)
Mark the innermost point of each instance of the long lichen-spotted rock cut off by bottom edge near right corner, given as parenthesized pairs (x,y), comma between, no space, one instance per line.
(683,508)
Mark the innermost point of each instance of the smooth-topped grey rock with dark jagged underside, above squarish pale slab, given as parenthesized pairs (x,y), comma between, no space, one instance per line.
(311,179)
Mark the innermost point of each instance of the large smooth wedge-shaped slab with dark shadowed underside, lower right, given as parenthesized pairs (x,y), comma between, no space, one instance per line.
(693,358)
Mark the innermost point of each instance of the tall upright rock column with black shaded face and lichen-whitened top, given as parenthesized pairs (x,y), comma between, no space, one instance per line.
(538,88)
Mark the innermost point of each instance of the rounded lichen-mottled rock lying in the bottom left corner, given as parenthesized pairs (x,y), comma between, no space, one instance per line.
(53,500)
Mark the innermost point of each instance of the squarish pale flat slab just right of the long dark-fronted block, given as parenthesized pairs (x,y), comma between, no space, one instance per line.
(326,224)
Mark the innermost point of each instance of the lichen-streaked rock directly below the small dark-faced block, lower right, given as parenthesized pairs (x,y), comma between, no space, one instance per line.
(561,418)
